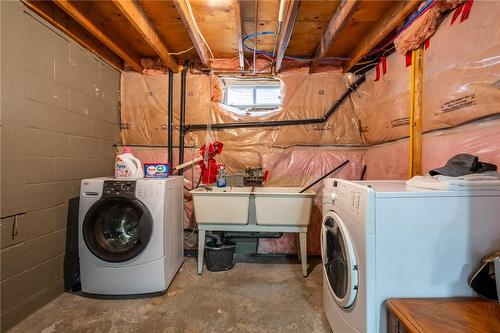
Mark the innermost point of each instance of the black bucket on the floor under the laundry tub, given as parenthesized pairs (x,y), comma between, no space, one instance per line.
(219,254)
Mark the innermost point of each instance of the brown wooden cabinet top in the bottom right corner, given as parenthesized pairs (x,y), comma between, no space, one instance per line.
(442,315)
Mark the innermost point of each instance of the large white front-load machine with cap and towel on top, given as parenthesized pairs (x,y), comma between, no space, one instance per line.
(382,239)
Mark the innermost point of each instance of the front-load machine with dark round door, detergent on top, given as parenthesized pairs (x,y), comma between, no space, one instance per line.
(130,235)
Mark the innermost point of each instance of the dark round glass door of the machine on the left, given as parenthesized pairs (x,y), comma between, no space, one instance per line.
(117,229)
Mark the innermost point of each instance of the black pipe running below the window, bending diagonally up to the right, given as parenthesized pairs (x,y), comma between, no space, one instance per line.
(325,117)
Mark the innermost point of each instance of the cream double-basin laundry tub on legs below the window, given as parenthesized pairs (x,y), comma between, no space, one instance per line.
(253,209)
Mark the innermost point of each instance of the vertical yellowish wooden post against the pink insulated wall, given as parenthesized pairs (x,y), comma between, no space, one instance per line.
(416,112)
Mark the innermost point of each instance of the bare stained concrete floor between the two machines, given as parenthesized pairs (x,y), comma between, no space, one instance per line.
(252,297)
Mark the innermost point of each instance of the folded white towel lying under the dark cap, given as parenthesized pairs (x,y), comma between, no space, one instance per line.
(486,181)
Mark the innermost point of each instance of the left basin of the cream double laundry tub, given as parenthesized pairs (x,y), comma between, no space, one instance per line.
(225,205)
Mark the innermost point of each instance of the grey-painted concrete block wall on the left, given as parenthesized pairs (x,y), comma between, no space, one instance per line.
(59,121)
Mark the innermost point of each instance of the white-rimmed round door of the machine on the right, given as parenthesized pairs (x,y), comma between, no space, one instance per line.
(339,260)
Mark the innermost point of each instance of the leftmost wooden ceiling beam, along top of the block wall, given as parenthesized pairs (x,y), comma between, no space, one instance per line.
(62,21)
